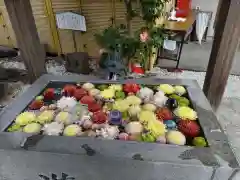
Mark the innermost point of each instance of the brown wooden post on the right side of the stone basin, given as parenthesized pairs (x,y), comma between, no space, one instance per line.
(227,32)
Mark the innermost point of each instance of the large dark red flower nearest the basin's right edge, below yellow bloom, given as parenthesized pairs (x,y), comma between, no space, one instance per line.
(189,128)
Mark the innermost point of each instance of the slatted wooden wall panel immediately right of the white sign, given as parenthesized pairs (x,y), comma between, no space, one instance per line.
(98,16)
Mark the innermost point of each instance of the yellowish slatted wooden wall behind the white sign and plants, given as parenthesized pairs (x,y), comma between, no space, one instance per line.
(99,15)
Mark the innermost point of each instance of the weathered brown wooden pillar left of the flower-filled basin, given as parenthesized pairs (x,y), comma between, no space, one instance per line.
(23,23)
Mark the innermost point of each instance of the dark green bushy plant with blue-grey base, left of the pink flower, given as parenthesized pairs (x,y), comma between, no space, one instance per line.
(118,46)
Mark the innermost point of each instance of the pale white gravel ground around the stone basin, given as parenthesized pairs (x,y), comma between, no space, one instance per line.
(228,113)
